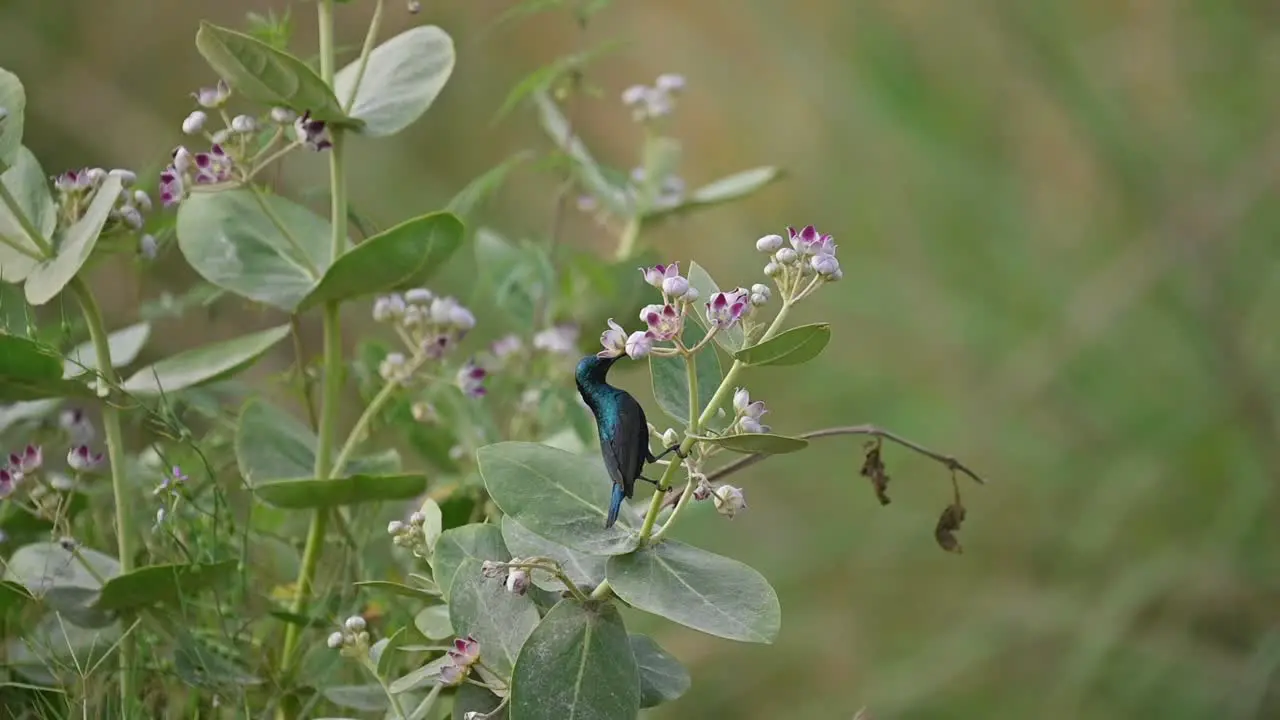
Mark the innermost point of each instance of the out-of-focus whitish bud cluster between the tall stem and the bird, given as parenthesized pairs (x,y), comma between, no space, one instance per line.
(431,327)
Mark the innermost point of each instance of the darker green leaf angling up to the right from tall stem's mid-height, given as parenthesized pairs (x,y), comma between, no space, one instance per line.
(404,256)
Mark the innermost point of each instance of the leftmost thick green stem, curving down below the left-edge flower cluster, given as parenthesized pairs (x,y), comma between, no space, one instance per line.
(116,457)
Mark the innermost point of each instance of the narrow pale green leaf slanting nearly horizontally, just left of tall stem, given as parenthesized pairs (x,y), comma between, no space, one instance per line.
(204,364)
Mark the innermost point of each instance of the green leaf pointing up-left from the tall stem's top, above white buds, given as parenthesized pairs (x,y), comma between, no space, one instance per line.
(267,76)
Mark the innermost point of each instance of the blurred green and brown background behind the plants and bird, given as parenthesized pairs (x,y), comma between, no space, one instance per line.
(1058,225)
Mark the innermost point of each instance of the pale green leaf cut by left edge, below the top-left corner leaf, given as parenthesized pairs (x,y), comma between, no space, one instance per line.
(29,185)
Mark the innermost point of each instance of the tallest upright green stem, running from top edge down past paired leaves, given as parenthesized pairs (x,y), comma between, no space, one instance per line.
(333,368)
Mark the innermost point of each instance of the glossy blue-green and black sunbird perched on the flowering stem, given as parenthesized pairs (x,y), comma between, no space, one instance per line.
(623,427)
